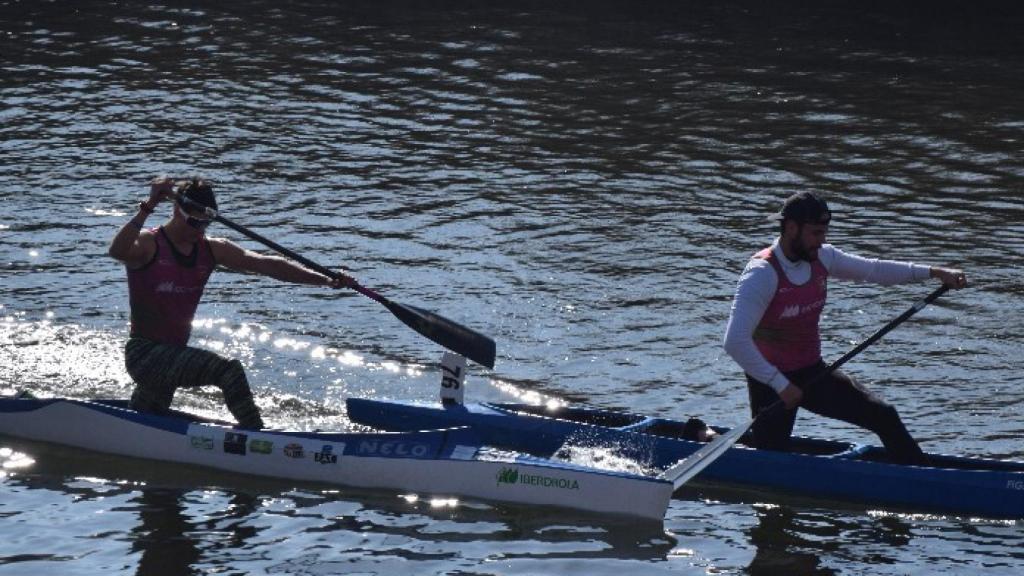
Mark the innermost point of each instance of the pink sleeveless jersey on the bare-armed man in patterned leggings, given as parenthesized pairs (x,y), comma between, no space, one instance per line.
(165,294)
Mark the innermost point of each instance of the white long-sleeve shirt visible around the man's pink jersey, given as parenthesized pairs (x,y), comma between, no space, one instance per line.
(757,289)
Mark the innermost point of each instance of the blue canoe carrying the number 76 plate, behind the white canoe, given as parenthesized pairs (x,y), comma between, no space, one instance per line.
(823,469)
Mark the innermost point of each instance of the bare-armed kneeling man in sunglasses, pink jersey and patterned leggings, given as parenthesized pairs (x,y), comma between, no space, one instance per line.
(168,268)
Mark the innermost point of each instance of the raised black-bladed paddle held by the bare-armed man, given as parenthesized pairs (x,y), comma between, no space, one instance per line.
(452,336)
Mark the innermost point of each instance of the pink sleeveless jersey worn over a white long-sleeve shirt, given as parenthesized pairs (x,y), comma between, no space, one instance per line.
(788,335)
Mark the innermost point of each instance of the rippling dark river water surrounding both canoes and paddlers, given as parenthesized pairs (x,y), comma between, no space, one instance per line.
(582,182)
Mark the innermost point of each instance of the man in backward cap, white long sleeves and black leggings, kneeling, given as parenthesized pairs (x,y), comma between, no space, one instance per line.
(774,330)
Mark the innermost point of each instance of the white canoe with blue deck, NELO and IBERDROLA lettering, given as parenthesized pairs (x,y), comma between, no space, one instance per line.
(446,463)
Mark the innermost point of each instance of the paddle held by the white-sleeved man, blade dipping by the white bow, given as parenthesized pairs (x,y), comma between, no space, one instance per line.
(684,471)
